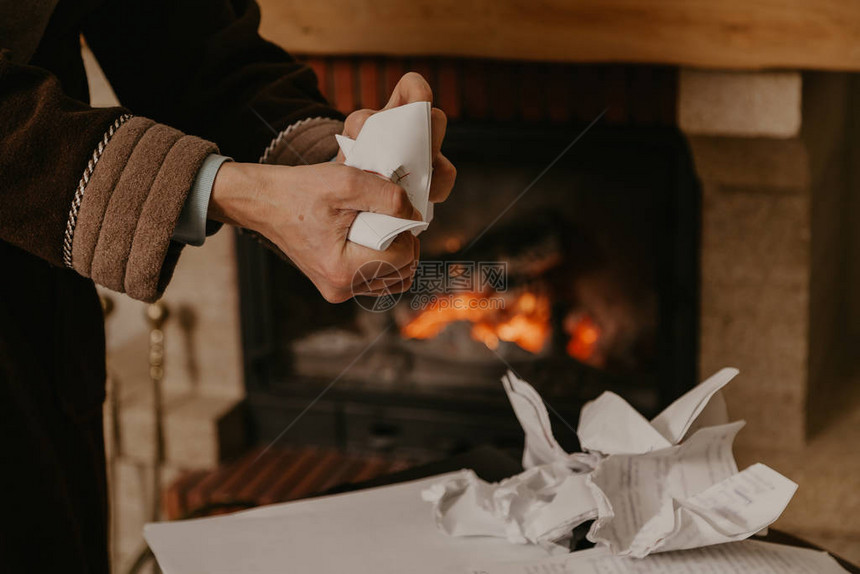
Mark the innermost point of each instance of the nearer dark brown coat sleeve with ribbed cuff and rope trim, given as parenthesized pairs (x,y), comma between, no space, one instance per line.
(107,187)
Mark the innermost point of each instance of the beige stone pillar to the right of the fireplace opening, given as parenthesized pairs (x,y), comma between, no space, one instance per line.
(769,149)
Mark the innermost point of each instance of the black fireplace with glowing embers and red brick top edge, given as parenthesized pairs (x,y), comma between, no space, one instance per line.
(567,252)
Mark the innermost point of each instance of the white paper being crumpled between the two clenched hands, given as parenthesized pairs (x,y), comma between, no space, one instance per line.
(395,144)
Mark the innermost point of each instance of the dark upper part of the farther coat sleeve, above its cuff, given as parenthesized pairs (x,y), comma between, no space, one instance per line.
(203,67)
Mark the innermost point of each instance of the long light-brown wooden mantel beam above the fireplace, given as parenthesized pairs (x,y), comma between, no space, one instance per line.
(729,34)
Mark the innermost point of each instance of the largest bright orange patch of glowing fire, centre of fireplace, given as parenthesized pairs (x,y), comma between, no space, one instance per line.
(525,321)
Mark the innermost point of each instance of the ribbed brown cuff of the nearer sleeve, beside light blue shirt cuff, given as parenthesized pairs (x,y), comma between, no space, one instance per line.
(131,205)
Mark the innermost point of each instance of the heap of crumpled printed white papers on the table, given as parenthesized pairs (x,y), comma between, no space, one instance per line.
(666,484)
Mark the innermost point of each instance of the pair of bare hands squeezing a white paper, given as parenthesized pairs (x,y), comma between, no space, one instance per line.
(307,211)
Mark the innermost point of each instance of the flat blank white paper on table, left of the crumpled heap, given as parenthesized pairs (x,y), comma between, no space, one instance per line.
(377,531)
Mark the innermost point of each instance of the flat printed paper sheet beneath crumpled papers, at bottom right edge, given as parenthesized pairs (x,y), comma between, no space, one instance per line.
(748,557)
